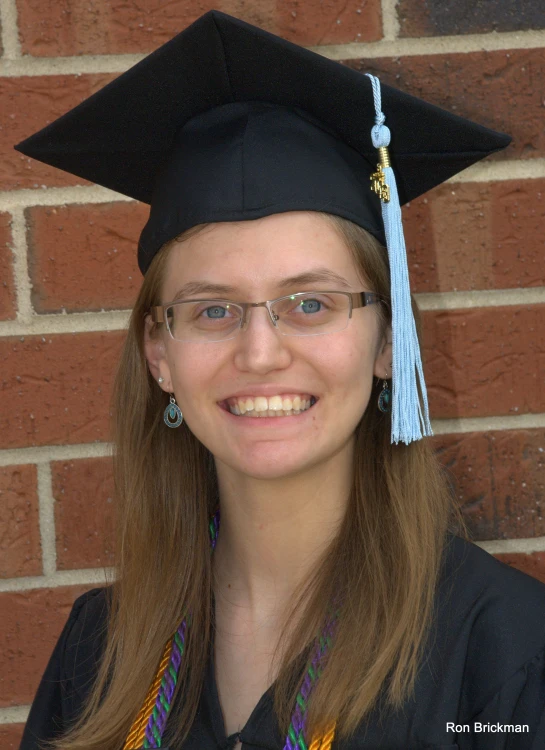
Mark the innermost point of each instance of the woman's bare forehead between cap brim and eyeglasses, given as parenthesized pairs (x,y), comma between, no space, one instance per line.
(263,253)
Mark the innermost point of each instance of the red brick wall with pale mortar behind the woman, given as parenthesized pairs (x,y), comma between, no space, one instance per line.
(477,263)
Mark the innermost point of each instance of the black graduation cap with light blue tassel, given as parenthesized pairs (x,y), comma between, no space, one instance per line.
(228,122)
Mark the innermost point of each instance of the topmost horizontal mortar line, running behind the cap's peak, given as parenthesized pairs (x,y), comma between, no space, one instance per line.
(400,47)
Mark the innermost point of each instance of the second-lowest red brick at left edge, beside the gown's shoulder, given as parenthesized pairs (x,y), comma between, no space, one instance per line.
(30,625)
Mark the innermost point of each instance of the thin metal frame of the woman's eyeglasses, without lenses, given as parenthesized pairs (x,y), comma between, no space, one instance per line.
(356,300)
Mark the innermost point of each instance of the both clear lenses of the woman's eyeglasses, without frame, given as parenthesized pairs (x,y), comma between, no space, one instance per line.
(217,320)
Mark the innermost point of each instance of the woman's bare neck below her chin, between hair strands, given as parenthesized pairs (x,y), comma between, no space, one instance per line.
(272,533)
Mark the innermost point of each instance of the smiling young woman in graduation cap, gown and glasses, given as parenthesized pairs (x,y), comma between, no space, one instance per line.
(292,569)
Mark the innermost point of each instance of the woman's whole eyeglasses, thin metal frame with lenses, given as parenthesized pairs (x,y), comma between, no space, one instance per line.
(301,314)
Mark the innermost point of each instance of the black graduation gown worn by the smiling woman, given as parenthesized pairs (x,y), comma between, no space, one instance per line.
(481,686)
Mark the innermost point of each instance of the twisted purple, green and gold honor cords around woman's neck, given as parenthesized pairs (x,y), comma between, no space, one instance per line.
(148,727)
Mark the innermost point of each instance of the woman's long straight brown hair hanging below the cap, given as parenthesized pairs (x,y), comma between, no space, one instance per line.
(384,561)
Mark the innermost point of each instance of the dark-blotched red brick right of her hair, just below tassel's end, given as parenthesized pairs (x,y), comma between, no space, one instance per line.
(499,481)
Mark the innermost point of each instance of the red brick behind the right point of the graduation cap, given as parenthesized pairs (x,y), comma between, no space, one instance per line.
(496,89)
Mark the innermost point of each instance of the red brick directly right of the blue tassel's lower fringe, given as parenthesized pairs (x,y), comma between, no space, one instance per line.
(485,361)
